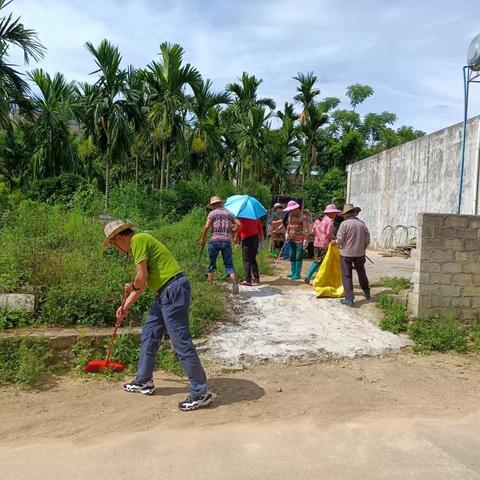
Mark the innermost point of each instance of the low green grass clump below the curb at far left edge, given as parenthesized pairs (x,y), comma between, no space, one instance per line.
(26,362)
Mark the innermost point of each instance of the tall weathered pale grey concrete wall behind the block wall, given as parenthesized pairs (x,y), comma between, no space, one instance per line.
(393,187)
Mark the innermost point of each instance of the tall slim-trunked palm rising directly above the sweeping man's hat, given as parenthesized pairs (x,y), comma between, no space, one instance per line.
(110,107)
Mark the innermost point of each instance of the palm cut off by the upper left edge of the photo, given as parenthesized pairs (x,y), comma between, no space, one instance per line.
(13,88)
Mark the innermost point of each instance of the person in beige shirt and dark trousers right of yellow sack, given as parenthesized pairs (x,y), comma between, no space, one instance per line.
(353,238)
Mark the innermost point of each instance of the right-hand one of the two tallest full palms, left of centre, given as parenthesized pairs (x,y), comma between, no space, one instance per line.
(168,100)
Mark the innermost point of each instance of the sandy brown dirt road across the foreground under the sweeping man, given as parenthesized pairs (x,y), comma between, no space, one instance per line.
(402,416)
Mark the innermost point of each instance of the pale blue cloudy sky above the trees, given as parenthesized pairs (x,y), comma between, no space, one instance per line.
(410,52)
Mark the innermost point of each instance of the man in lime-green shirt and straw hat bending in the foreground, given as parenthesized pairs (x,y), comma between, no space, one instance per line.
(160,272)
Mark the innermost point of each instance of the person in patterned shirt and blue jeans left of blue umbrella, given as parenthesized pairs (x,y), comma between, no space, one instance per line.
(223,225)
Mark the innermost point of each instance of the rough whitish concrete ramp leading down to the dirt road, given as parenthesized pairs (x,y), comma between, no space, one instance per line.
(278,325)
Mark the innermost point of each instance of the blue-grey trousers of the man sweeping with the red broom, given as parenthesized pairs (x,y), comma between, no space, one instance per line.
(169,312)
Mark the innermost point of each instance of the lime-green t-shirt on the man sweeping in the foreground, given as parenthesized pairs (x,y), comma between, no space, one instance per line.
(160,262)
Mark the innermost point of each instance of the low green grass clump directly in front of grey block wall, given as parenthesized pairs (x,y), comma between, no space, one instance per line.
(438,334)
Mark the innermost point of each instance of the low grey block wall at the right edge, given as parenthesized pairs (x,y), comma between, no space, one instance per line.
(447,272)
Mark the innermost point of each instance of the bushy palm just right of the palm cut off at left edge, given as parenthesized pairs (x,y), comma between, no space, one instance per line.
(53,112)
